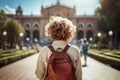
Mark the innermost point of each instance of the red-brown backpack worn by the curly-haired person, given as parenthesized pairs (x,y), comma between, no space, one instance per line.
(60,66)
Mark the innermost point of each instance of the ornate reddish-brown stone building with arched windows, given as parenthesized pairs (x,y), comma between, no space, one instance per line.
(34,25)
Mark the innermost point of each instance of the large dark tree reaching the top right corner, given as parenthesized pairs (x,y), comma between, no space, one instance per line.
(109,18)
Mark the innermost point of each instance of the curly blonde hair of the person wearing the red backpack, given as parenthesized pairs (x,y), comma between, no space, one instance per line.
(60,28)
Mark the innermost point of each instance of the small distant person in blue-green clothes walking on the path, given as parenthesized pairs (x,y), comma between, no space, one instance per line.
(85,51)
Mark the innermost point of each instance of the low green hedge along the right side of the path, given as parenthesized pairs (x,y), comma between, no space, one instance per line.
(109,58)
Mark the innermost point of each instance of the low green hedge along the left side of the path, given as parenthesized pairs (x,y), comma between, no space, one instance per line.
(12,56)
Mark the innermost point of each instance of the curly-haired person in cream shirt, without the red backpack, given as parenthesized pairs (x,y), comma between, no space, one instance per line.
(60,30)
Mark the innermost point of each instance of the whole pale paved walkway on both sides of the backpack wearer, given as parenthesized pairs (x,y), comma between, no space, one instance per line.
(25,69)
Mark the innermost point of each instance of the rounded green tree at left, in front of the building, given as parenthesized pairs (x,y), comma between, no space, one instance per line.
(13,28)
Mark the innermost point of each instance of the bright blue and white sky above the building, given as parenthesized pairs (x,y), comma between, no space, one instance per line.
(34,6)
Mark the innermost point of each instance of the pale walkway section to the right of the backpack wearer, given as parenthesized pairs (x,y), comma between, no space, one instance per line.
(99,71)
